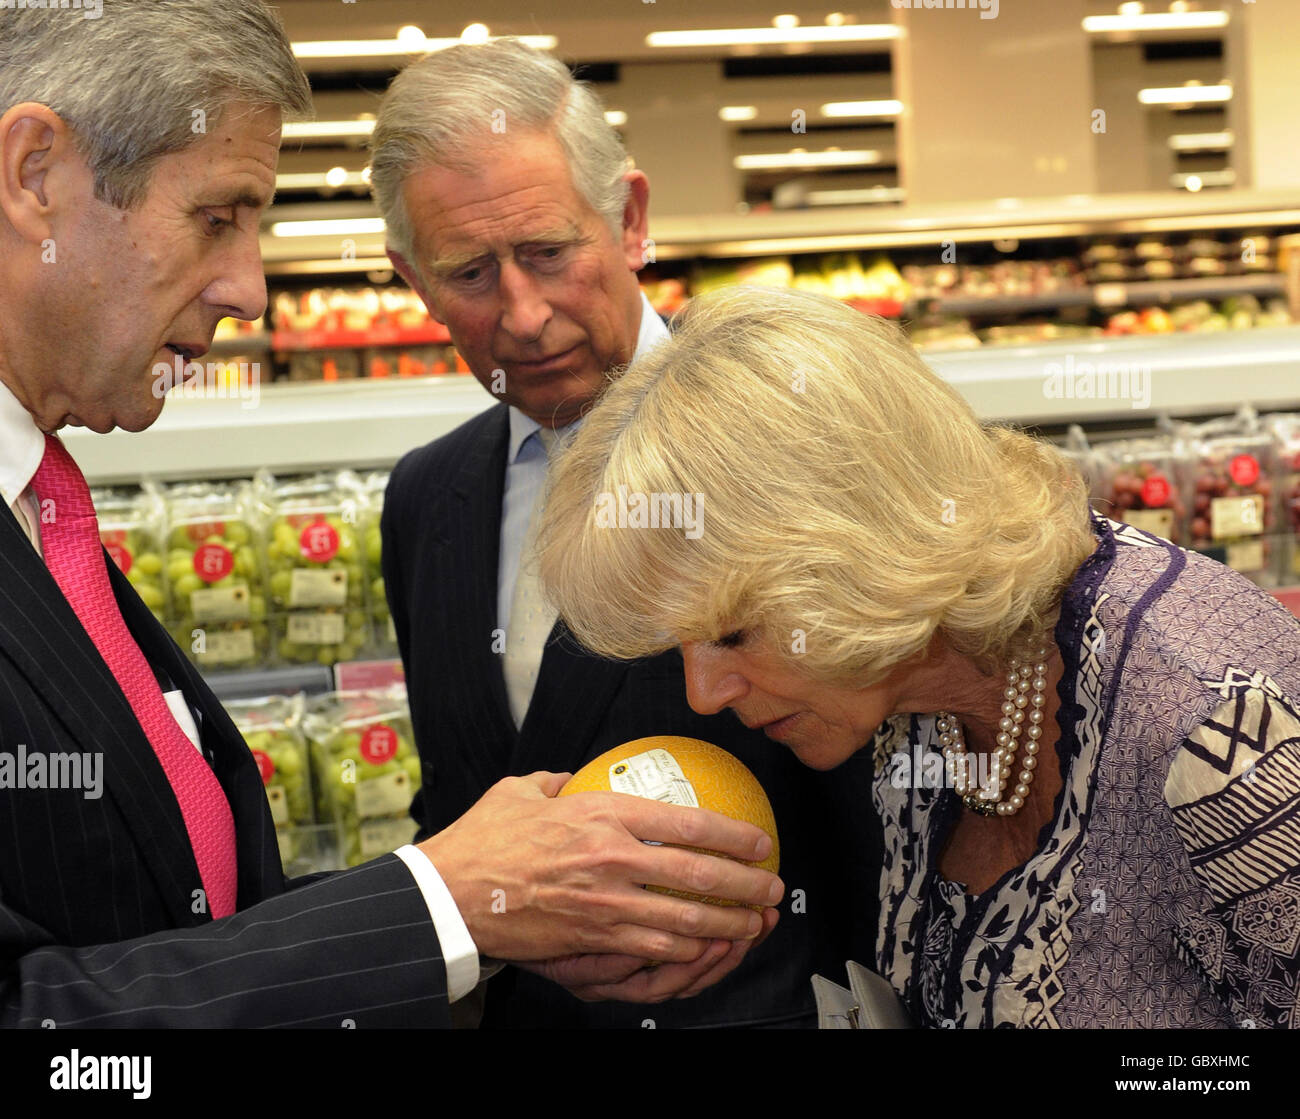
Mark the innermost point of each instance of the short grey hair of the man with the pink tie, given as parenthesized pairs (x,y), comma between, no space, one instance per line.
(132,85)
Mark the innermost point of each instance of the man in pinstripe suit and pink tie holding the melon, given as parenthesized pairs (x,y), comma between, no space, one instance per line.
(131,189)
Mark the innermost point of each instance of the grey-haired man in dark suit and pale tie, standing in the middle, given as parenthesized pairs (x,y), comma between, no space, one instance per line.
(512,210)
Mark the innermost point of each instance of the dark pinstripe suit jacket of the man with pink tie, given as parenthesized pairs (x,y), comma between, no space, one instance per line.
(98,923)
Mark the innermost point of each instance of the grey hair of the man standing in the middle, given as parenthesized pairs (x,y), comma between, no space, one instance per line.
(443,109)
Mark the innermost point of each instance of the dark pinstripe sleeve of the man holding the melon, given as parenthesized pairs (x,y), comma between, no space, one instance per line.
(356,947)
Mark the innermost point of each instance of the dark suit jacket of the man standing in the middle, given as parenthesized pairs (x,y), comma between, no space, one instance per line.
(441,545)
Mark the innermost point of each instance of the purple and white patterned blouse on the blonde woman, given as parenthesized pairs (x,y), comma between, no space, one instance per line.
(1167,888)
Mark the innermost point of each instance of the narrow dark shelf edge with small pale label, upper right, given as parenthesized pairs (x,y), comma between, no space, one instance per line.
(1106,296)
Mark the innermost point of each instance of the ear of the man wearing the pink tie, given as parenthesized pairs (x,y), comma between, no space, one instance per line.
(37,155)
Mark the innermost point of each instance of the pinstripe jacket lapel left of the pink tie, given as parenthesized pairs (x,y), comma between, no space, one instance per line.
(44,639)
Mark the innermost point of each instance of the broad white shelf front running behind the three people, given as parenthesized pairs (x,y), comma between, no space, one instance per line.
(304,427)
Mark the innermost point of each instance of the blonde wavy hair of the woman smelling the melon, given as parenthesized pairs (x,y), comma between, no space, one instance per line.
(848,495)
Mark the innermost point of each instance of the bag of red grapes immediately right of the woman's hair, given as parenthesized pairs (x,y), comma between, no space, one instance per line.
(1141,487)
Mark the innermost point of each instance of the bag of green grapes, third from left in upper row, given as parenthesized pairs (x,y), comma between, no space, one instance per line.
(318,572)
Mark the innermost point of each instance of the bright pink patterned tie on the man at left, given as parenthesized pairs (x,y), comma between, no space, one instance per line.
(76,559)
